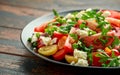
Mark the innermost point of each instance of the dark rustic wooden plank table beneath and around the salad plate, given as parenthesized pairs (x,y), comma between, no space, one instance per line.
(15,14)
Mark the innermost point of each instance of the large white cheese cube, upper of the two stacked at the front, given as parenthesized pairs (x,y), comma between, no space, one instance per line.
(80,54)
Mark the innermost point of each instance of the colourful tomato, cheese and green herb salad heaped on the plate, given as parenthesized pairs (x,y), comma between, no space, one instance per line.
(89,37)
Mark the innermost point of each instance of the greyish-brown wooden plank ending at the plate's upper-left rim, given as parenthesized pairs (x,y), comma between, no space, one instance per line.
(13,20)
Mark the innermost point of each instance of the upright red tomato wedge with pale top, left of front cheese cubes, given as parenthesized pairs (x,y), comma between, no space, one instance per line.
(68,46)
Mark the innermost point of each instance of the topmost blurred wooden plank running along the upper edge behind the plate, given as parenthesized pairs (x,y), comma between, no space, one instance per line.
(64,4)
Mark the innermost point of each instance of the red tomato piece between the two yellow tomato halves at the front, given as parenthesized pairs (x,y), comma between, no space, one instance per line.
(60,55)
